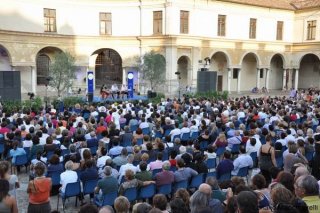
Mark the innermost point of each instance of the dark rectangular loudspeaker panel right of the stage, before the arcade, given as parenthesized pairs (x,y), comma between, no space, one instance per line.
(206,81)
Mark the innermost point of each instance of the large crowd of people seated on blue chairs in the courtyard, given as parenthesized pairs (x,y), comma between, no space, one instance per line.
(190,155)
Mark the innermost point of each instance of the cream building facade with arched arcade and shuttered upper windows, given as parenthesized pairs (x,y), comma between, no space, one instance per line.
(273,43)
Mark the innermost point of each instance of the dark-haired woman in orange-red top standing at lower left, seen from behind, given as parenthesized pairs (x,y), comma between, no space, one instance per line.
(39,191)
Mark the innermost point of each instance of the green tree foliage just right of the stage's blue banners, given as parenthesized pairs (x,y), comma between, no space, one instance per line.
(153,69)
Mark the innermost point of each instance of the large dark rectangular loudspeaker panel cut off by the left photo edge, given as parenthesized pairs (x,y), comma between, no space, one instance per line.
(10,85)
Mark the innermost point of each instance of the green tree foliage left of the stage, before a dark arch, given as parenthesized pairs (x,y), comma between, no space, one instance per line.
(62,72)
